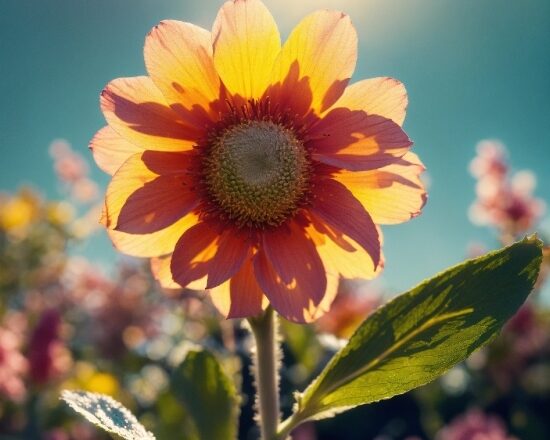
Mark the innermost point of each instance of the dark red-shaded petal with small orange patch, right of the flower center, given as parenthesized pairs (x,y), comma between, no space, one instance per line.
(354,140)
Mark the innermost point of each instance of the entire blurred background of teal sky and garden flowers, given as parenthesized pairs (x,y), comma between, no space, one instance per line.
(478,78)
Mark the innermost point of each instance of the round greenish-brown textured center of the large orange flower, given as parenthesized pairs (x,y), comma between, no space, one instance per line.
(257,173)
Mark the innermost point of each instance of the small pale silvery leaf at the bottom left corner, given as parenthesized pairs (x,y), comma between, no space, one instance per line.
(106,413)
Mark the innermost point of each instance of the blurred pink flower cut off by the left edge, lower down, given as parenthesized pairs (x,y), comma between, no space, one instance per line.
(13,365)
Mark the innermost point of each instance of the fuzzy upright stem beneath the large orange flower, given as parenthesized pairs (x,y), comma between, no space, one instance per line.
(266,363)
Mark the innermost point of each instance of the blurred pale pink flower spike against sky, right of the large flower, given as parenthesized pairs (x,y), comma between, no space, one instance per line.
(503,202)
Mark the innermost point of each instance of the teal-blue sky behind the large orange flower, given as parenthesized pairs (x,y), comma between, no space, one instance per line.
(474,69)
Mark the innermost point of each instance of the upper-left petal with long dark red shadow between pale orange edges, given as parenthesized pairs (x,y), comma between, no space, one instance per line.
(136,109)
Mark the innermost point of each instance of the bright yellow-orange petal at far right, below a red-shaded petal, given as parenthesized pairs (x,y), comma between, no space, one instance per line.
(392,194)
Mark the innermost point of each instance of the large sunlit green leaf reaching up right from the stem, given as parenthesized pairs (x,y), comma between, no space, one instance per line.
(421,334)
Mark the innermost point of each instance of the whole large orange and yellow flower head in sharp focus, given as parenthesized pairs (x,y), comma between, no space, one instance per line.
(251,169)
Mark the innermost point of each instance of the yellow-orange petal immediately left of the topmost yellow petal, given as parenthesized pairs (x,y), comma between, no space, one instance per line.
(178,57)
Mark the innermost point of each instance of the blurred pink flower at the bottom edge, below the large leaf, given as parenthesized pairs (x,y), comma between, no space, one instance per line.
(475,425)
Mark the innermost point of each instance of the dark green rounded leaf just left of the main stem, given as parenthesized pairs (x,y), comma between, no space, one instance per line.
(208,395)
